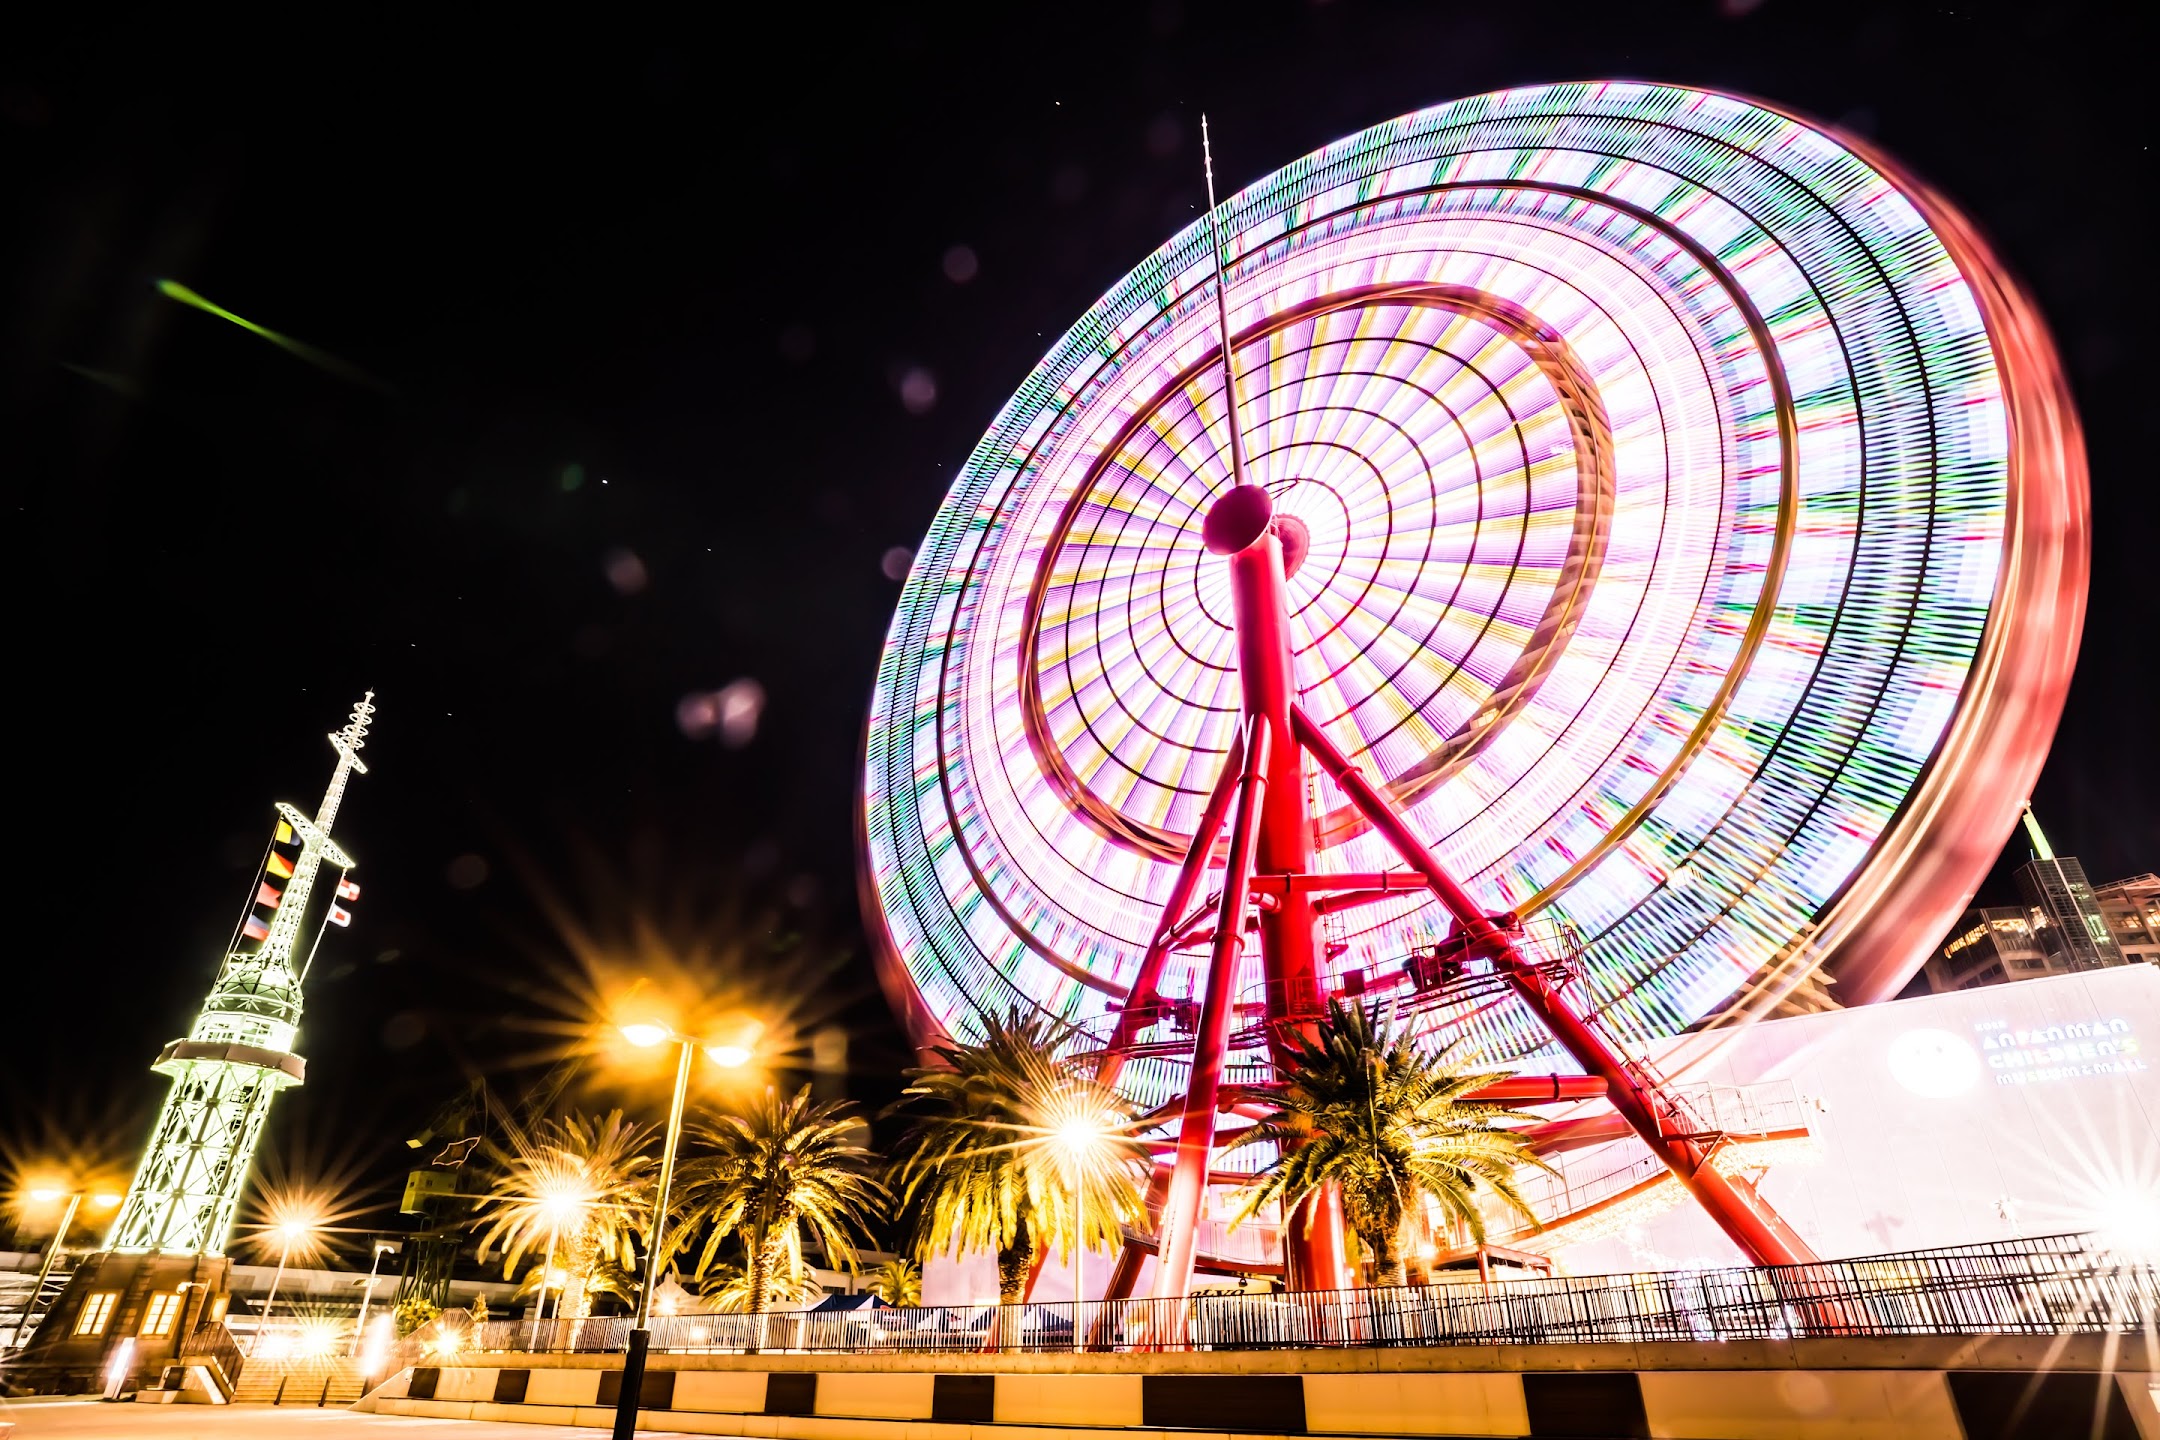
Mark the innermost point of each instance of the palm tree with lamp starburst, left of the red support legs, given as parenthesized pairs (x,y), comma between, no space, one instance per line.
(990,1163)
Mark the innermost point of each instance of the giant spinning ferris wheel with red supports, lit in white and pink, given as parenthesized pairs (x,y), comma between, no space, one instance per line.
(1628,562)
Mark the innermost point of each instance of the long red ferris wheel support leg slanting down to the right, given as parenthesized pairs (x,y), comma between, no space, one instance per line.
(1736,1206)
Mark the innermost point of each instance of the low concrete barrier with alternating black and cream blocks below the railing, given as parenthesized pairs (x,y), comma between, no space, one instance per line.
(1919,1389)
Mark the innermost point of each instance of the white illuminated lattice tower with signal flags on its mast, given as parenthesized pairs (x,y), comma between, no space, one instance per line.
(239,1055)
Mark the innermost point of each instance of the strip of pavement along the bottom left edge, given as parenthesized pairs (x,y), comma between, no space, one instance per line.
(87,1419)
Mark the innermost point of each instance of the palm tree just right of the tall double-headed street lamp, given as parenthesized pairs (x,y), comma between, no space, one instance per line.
(770,1176)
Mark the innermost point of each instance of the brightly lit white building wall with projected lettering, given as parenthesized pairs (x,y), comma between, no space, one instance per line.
(2027,1109)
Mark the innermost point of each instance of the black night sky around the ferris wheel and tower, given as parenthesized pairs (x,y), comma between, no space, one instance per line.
(690,271)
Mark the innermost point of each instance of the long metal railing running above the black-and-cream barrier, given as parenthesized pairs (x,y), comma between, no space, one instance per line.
(2053,1286)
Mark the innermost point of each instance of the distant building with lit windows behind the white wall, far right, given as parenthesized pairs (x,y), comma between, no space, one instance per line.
(2064,925)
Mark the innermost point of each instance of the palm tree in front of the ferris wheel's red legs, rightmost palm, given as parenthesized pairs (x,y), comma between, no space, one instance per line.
(1364,1109)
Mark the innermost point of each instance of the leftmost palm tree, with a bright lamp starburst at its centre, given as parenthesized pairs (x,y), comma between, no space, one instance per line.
(580,1191)
